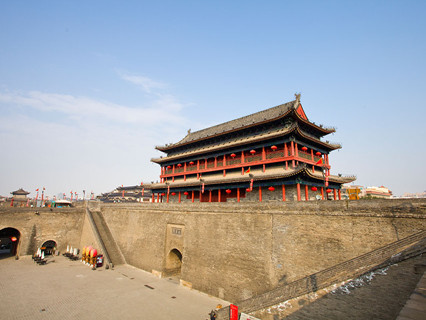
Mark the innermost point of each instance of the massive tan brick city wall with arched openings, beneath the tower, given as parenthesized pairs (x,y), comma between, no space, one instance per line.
(233,251)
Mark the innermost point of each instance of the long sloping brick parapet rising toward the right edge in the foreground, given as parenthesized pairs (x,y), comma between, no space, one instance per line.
(392,253)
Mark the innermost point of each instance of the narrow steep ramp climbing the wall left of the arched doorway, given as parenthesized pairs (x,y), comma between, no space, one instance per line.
(105,238)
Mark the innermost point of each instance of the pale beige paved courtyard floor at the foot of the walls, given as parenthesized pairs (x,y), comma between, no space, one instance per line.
(64,289)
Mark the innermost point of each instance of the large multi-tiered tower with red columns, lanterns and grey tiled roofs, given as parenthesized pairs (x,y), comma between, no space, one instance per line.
(274,154)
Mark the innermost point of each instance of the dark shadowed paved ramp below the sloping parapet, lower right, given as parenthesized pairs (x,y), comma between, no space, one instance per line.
(379,296)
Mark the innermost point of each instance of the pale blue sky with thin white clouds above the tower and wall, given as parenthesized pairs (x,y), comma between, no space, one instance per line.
(89,88)
